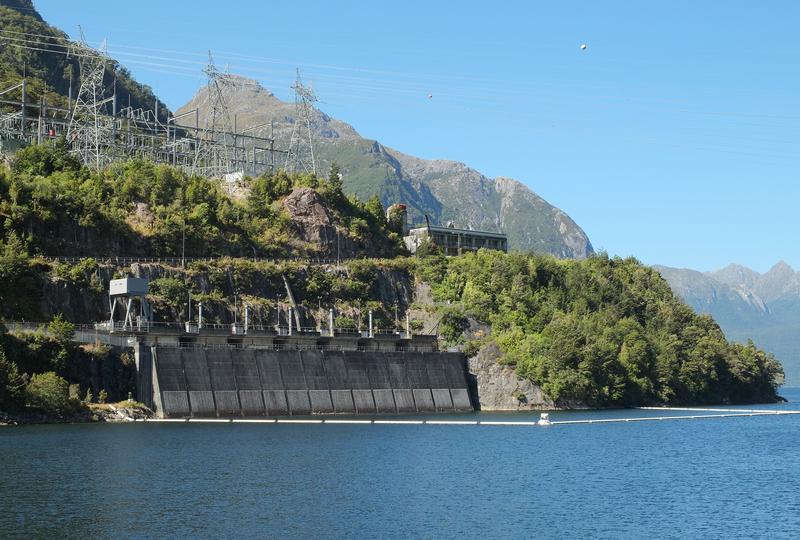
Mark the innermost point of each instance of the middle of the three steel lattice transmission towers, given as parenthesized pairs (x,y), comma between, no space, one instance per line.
(215,155)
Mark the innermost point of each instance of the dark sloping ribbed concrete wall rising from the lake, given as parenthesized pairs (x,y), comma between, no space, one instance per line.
(224,382)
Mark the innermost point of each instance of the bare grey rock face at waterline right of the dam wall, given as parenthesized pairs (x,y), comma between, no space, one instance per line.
(499,387)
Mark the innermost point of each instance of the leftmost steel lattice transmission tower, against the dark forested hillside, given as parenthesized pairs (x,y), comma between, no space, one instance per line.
(90,128)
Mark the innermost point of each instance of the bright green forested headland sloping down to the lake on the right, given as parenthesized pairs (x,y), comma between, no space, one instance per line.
(602,332)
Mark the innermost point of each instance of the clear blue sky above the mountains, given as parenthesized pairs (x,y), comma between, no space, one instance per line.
(675,137)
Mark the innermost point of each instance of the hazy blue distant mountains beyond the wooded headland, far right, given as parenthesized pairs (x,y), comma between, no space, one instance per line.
(748,305)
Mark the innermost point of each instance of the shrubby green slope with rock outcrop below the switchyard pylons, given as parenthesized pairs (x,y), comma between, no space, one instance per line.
(50,204)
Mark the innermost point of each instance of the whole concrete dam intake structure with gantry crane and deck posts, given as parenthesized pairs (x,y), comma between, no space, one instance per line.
(197,370)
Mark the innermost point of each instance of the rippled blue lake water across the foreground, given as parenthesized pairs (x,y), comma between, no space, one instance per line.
(714,478)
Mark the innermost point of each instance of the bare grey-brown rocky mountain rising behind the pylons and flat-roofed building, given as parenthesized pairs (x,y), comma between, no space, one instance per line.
(444,190)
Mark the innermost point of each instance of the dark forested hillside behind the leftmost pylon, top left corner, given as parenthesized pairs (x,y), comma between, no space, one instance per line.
(28,45)
